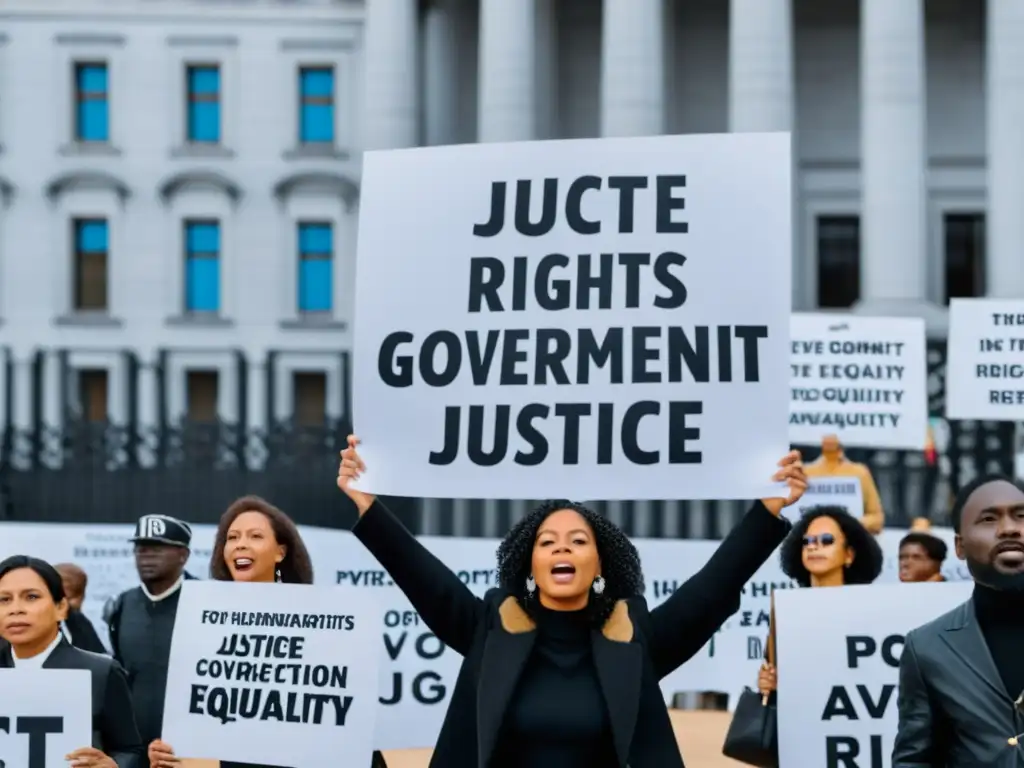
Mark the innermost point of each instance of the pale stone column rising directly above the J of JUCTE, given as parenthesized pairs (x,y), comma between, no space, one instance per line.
(507,84)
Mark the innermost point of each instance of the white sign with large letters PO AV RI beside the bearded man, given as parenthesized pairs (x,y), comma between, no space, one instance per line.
(838,684)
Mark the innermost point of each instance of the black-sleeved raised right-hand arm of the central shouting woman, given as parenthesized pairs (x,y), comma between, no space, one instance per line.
(682,625)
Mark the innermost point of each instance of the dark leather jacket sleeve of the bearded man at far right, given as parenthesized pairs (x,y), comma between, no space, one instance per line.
(916,745)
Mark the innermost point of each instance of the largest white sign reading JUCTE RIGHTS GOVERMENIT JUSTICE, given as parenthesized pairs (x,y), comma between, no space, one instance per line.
(579,319)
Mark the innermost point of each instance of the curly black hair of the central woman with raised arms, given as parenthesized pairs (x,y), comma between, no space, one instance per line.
(620,560)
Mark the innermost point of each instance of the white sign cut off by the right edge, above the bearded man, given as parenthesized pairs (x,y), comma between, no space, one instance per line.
(986,360)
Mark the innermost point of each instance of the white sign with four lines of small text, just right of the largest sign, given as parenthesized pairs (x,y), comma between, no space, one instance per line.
(864,379)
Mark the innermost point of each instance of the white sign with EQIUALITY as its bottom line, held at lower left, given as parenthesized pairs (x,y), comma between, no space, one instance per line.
(274,673)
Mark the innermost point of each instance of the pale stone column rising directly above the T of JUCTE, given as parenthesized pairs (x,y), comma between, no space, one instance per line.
(633,68)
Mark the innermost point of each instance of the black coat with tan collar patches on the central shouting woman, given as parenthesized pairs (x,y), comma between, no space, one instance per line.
(634,650)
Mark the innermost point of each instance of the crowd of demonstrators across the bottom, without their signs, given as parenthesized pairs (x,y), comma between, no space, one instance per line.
(552,655)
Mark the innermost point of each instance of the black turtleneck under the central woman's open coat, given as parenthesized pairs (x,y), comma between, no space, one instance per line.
(558,716)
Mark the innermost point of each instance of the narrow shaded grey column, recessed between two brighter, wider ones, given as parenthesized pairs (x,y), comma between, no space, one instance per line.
(440,74)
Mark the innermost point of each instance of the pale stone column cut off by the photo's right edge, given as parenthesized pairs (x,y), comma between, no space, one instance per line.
(1005,262)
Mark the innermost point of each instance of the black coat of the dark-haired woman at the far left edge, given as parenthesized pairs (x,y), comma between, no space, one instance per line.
(114,730)
